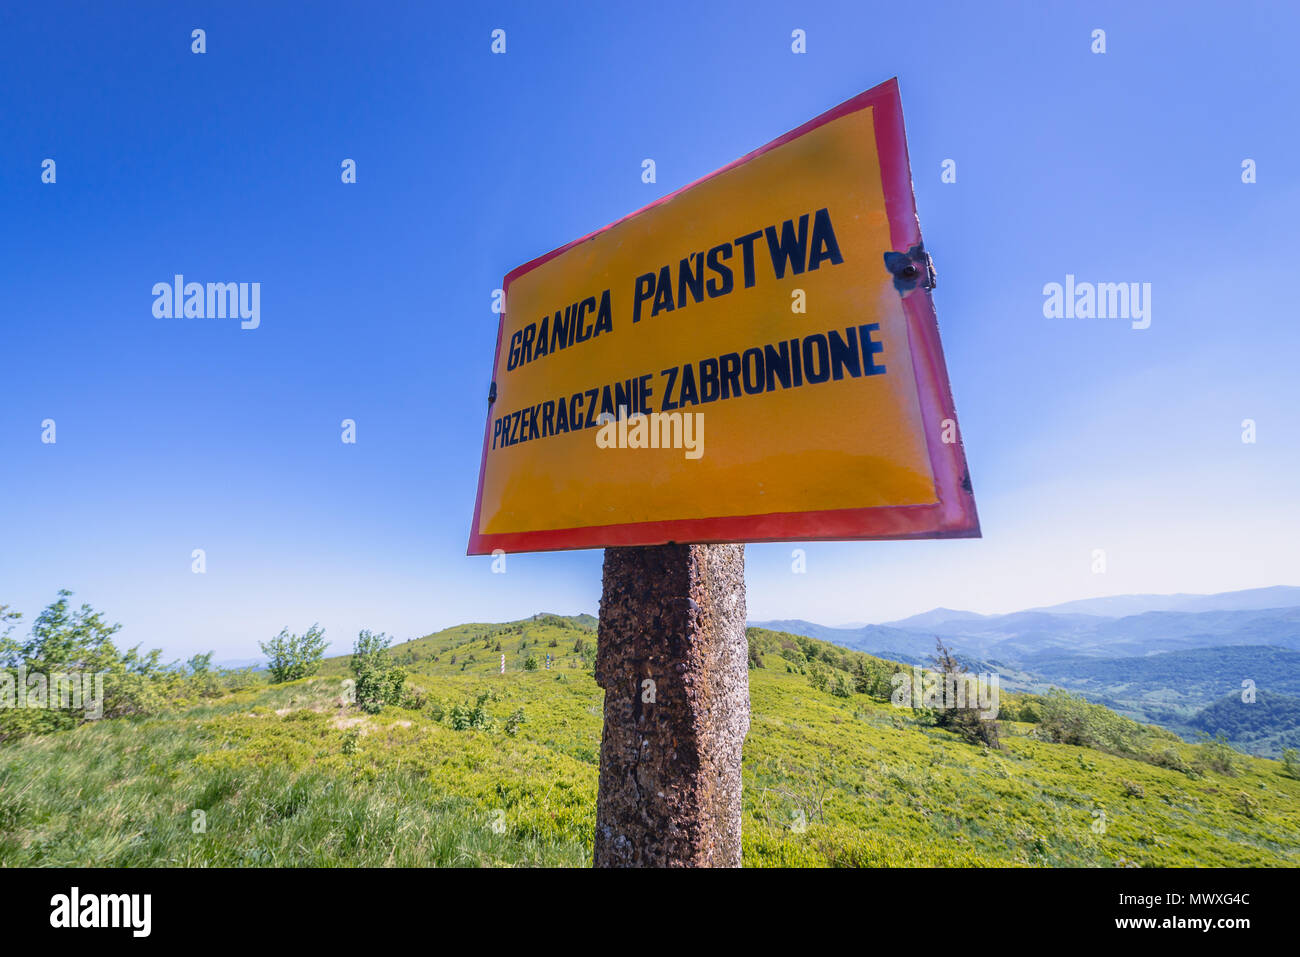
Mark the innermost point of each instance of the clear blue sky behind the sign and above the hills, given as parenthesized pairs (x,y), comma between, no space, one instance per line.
(1082,435)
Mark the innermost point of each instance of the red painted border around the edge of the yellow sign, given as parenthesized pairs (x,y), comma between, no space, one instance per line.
(952,518)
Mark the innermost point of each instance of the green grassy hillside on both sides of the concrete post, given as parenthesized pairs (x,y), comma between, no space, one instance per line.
(271,772)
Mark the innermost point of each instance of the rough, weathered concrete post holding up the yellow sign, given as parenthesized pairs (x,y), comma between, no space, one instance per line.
(674,662)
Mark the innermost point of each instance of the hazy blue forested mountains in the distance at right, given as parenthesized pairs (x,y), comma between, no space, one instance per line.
(1164,660)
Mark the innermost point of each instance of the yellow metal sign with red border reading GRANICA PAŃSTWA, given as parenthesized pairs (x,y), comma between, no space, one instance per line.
(734,363)
